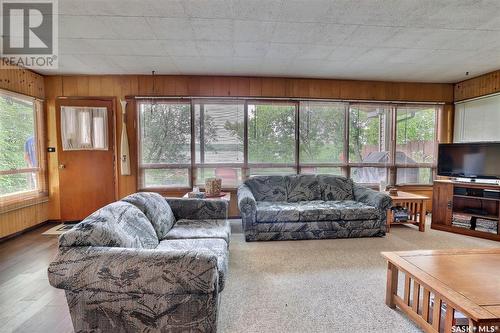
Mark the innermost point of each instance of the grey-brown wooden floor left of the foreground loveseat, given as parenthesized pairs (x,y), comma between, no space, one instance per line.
(27,302)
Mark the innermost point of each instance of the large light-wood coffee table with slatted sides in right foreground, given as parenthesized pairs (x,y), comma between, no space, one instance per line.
(457,286)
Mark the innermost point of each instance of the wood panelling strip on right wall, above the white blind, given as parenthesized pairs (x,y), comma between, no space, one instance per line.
(479,86)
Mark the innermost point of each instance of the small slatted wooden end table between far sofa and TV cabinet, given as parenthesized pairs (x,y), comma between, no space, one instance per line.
(416,207)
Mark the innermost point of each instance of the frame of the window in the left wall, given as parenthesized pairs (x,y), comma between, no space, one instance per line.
(20,199)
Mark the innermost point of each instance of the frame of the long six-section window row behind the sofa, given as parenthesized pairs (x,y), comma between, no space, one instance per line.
(346,167)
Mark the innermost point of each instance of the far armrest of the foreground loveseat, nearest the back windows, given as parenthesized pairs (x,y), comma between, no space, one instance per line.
(198,209)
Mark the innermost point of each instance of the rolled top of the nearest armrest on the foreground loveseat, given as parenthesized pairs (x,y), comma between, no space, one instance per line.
(130,270)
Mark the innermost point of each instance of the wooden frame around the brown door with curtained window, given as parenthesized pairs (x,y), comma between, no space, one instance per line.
(74,101)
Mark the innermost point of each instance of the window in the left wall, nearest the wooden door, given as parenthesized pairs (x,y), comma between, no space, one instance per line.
(22,163)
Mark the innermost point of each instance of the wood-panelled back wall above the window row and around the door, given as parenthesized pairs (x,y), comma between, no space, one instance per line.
(121,86)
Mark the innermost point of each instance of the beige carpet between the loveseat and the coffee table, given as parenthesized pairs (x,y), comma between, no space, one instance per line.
(320,285)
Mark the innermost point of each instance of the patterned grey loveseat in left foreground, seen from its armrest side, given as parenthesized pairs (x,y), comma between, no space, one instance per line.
(145,264)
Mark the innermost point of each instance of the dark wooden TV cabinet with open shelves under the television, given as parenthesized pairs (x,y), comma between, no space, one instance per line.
(447,201)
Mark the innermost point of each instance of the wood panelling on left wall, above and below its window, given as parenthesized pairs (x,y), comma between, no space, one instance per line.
(25,82)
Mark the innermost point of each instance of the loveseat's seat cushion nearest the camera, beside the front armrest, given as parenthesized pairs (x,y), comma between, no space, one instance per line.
(213,246)
